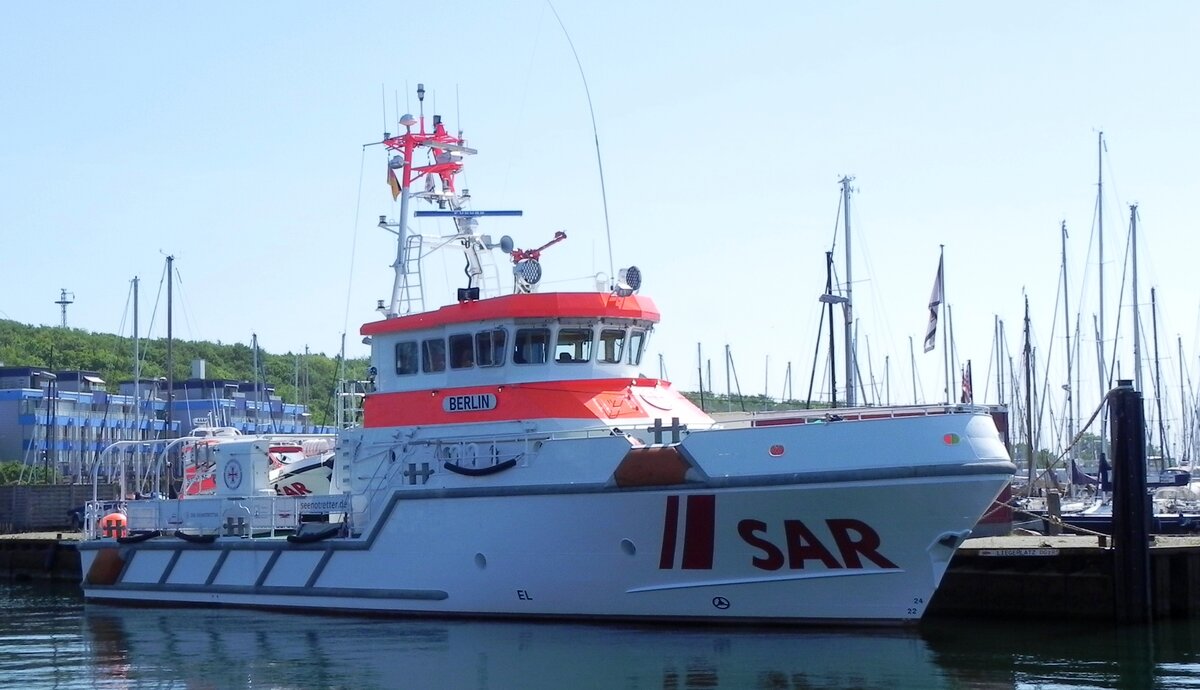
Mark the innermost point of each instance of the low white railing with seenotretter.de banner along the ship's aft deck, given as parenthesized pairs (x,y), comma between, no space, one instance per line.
(213,517)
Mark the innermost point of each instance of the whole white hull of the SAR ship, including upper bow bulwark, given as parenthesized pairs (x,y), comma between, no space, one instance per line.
(795,547)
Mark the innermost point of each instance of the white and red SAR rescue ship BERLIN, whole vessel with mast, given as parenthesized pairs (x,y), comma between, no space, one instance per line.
(514,461)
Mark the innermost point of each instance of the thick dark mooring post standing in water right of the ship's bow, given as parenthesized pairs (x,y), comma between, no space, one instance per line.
(1131,507)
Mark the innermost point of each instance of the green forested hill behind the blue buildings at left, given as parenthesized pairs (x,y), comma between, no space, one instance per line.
(58,350)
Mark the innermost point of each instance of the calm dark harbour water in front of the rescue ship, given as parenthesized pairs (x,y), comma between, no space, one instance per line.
(50,639)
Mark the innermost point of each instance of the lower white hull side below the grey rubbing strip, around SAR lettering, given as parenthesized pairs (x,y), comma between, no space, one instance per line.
(487,556)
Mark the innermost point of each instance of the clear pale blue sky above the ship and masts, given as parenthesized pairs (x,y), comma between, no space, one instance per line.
(231,135)
